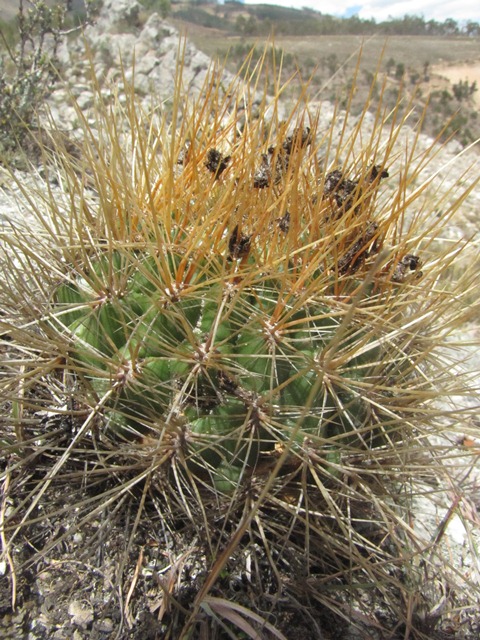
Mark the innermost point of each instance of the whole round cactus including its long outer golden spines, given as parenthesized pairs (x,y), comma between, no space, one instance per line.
(254,317)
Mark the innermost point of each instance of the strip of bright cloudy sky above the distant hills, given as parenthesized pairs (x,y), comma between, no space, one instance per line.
(381,10)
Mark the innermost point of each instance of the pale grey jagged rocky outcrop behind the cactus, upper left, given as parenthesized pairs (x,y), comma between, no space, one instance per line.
(148,50)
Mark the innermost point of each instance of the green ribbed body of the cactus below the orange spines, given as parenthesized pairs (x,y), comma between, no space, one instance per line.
(226,357)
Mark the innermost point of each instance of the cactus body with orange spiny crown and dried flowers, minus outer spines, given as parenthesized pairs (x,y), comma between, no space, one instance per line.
(253,342)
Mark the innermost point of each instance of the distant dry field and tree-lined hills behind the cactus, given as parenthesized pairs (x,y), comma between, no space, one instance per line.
(325,48)
